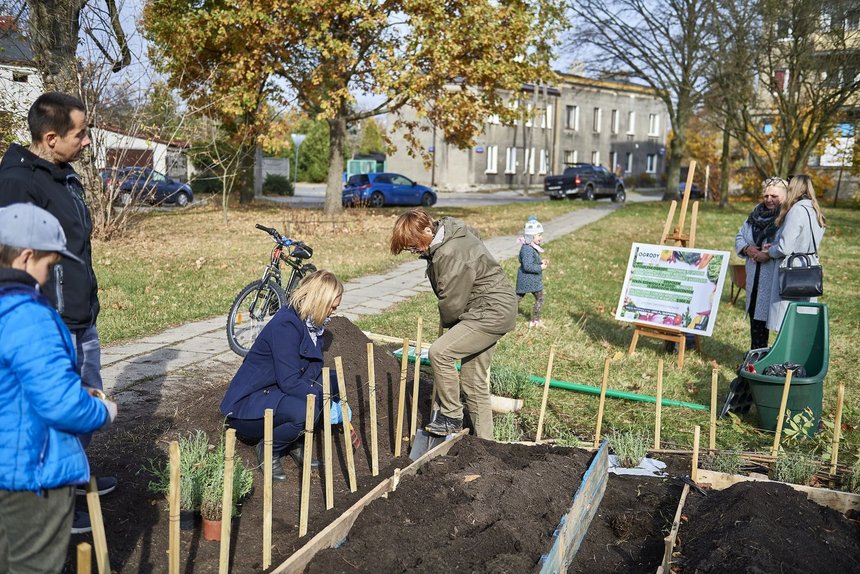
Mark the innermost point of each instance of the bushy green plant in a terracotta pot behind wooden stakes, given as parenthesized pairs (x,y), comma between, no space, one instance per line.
(212,493)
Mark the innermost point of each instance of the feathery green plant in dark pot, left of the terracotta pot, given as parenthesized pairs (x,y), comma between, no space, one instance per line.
(193,450)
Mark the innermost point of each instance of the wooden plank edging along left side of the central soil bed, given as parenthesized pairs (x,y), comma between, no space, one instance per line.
(336,532)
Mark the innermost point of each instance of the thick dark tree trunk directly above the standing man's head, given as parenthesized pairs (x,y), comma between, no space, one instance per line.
(54,27)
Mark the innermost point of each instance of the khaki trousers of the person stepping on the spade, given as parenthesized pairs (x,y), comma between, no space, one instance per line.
(474,348)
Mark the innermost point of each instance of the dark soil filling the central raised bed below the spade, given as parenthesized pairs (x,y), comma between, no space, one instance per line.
(484,507)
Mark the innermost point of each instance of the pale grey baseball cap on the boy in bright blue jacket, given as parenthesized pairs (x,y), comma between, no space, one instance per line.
(27,226)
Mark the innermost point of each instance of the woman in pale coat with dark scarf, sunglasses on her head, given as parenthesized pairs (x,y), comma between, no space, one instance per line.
(760,229)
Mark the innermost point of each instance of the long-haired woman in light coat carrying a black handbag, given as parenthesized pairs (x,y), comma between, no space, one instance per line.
(801,228)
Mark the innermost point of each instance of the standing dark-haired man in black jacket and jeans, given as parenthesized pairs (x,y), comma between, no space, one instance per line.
(43,175)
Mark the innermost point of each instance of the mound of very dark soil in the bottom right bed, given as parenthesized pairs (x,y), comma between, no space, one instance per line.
(766,527)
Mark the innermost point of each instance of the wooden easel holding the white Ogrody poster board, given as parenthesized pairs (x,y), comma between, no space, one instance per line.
(677,237)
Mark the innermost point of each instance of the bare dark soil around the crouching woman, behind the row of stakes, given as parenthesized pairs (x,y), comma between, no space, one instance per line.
(162,409)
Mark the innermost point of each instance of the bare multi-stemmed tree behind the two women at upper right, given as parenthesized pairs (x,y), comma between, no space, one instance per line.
(803,57)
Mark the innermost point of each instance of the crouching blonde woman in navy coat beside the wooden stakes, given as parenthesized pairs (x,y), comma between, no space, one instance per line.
(283,366)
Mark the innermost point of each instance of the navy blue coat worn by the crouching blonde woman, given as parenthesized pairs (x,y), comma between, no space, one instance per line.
(284,364)
